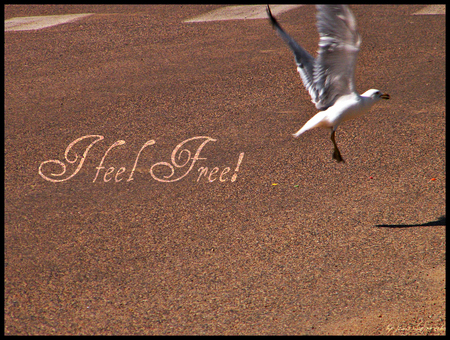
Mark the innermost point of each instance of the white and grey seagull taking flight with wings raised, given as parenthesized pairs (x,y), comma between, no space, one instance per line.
(330,78)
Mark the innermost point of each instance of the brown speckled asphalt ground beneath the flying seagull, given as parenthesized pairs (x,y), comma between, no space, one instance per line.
(286,241)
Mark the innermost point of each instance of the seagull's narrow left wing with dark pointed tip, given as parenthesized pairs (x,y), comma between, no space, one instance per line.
(305,62)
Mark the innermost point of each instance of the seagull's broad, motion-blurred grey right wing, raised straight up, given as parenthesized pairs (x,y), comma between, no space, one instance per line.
(334,71)
